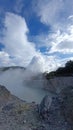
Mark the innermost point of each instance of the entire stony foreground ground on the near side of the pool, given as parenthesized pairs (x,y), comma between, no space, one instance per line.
(16,114)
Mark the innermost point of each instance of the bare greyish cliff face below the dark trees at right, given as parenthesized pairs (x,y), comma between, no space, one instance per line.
(56,84)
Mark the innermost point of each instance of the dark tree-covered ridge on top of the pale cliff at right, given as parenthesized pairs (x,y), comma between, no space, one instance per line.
(62,71)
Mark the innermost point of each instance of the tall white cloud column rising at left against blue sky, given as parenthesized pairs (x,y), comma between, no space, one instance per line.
(15,39)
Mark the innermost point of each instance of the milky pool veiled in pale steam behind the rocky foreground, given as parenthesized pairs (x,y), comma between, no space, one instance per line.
(23,84)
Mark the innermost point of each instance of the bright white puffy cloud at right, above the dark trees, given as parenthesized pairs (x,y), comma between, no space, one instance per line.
(60,40)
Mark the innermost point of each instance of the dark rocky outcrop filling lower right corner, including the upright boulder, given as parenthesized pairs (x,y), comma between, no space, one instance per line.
(58,110)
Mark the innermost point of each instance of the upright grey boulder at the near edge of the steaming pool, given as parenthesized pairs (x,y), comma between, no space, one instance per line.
(50,106)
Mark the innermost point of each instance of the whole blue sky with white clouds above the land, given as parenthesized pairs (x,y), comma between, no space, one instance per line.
(37,33)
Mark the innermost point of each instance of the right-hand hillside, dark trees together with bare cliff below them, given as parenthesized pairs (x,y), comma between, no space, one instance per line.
(59,79)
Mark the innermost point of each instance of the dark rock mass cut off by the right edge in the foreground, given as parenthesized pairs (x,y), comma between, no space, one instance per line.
(67,104)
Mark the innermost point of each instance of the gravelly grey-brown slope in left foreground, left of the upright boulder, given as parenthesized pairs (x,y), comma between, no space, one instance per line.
(16,114)
